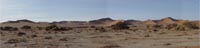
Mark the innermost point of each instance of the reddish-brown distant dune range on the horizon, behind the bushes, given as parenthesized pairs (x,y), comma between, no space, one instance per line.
(167,20)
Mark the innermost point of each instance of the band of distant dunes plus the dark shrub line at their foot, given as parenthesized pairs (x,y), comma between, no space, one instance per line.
(165,23)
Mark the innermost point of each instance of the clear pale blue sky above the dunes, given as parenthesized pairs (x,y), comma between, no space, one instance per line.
(84,10)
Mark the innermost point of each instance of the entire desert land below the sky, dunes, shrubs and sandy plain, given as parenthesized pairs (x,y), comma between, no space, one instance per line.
(101,33)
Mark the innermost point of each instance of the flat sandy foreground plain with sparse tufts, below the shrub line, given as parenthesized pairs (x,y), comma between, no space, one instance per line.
(93,39)
